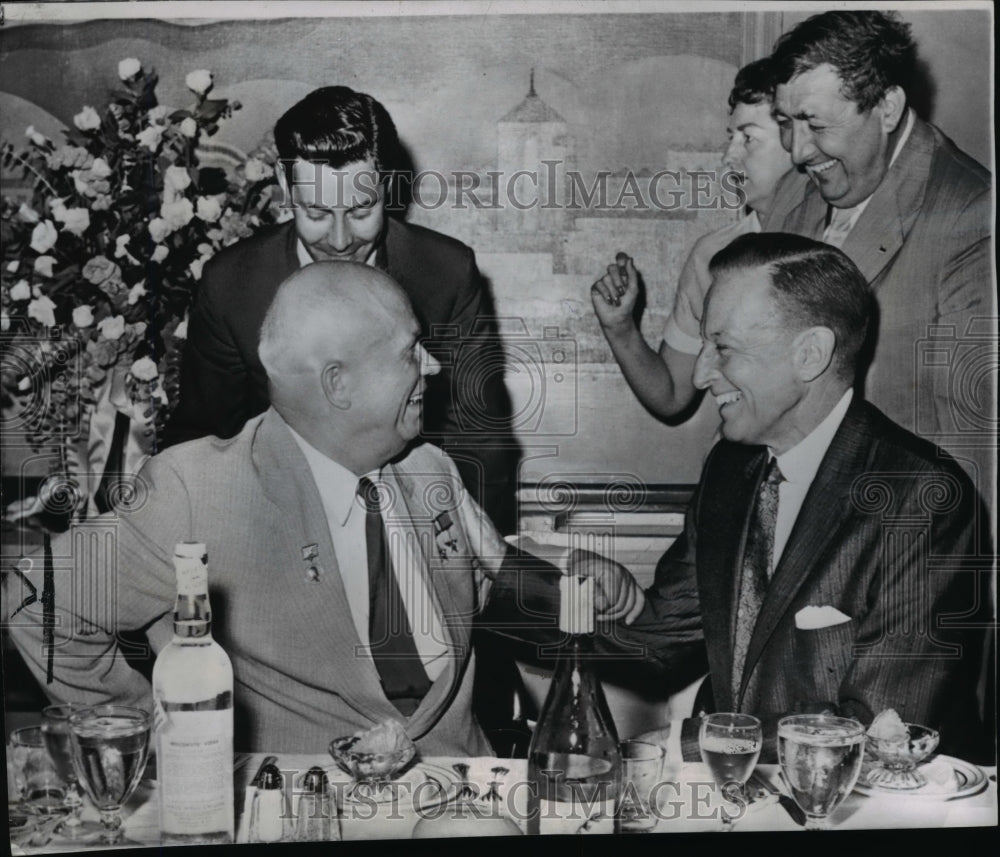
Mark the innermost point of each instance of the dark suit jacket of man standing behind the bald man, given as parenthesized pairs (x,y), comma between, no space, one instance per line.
(467,410)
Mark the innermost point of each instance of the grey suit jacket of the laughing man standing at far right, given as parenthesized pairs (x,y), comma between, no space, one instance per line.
(924,245)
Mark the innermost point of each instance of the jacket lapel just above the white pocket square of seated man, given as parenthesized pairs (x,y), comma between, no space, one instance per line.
(824,512)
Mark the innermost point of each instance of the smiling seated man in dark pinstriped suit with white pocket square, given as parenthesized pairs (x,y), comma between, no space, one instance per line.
(830,560)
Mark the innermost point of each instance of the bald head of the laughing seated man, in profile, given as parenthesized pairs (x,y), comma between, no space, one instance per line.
(345,366)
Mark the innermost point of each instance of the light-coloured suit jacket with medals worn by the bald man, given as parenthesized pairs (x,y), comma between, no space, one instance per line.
(301,676)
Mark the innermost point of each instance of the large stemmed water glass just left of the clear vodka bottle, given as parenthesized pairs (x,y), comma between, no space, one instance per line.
(109,744)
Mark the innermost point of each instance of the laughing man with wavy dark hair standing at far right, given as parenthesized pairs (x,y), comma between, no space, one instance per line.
(909,208)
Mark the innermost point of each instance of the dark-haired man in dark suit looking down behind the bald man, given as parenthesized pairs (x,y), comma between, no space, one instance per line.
(338,150)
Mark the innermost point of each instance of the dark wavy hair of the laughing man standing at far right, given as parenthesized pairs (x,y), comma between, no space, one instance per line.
(871,51)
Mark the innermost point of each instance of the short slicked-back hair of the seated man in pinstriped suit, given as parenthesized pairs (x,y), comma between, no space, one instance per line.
(813,283)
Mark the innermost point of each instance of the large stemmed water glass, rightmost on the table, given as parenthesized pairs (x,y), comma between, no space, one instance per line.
(820,759)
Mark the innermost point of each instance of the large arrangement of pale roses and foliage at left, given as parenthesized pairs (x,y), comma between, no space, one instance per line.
(101,262)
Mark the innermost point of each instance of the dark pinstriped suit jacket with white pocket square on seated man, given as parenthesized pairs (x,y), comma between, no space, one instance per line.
(890,534)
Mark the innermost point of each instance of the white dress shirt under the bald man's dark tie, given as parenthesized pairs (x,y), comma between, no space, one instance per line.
(345,515)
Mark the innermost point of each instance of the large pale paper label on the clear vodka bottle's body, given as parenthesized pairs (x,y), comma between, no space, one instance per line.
(195,771)
